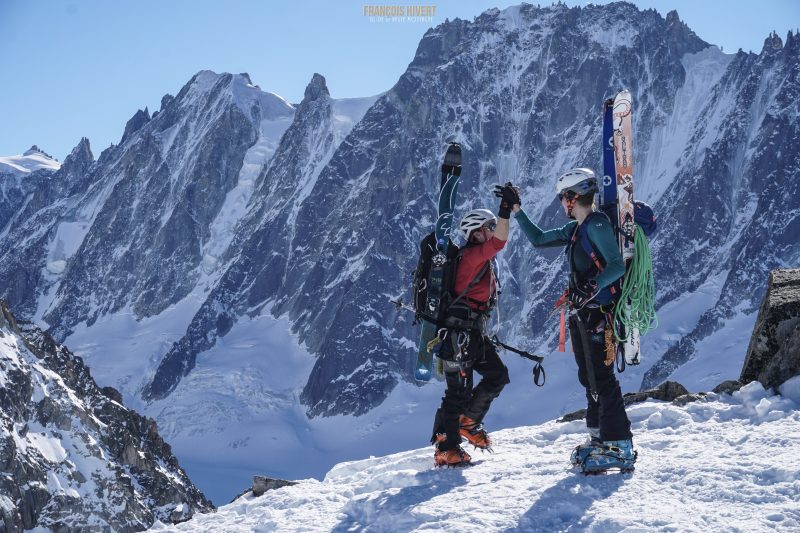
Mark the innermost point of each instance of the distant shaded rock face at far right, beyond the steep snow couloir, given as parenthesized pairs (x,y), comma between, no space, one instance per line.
(746,174)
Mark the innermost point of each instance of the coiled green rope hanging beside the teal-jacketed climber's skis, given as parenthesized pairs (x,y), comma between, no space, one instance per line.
(636,306)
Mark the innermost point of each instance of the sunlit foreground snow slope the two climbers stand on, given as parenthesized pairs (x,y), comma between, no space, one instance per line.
(728,463)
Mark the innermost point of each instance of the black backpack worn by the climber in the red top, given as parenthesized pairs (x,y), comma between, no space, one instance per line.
(421,279)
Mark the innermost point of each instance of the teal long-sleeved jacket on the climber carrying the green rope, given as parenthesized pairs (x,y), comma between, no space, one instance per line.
(600,233)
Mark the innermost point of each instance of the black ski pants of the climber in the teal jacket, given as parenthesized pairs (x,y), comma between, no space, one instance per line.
(607,411)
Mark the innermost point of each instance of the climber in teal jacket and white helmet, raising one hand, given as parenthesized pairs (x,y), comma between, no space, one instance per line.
(596,266)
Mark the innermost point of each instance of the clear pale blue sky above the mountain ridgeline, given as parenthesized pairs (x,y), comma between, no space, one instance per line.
(74,68)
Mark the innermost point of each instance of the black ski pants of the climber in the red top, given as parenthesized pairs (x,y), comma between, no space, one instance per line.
(461,397)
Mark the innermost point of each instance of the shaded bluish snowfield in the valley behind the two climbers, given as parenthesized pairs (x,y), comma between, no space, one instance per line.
(238,413)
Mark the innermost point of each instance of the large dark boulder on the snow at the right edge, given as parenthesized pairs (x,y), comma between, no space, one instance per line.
(774,352)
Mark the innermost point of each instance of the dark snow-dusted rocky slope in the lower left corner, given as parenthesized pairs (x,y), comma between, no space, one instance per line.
(73,458)
